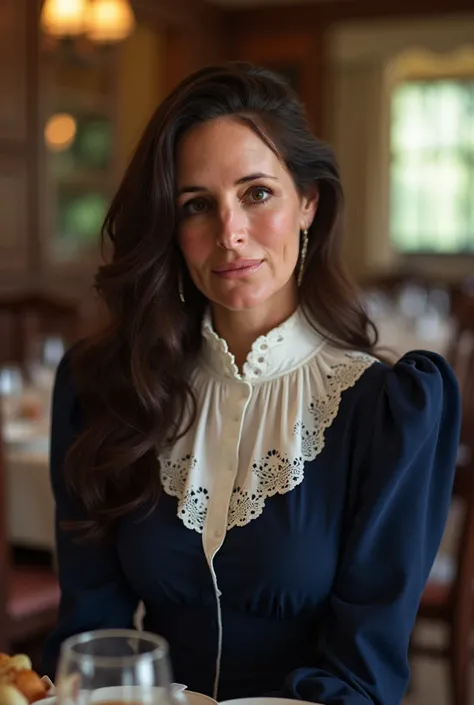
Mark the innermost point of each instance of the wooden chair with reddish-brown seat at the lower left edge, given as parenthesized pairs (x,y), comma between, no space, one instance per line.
(29,595)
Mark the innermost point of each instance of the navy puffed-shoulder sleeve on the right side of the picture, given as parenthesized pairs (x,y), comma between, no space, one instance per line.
(398,501)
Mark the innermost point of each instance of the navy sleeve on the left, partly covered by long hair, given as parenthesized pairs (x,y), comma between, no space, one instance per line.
(94,594)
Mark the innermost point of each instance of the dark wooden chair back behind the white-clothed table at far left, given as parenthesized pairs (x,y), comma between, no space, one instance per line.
(22,316)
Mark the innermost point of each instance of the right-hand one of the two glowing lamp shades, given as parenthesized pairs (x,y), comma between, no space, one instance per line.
(109,20)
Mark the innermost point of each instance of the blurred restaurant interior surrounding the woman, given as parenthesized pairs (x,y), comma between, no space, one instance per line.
(388,83)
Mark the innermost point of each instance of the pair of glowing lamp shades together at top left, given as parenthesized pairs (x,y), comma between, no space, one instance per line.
(102,21)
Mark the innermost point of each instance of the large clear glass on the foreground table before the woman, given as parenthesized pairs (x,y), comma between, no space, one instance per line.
(115,667)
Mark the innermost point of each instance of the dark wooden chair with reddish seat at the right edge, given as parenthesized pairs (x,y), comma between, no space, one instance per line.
(452,603)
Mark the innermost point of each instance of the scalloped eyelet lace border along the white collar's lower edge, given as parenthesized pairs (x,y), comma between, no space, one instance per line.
(277,472)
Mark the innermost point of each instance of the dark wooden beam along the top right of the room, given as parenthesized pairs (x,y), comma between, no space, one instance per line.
(294,17)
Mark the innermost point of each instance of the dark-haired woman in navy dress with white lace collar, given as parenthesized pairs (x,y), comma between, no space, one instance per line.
(229,451)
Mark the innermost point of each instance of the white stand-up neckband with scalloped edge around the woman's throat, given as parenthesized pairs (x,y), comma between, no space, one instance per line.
(281,350)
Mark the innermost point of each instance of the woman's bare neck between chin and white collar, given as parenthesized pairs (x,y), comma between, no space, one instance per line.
(240,329)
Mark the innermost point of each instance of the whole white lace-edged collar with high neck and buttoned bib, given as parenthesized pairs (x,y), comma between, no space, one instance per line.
(254,433)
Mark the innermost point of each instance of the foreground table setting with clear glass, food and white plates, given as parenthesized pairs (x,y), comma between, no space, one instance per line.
(107,667)
